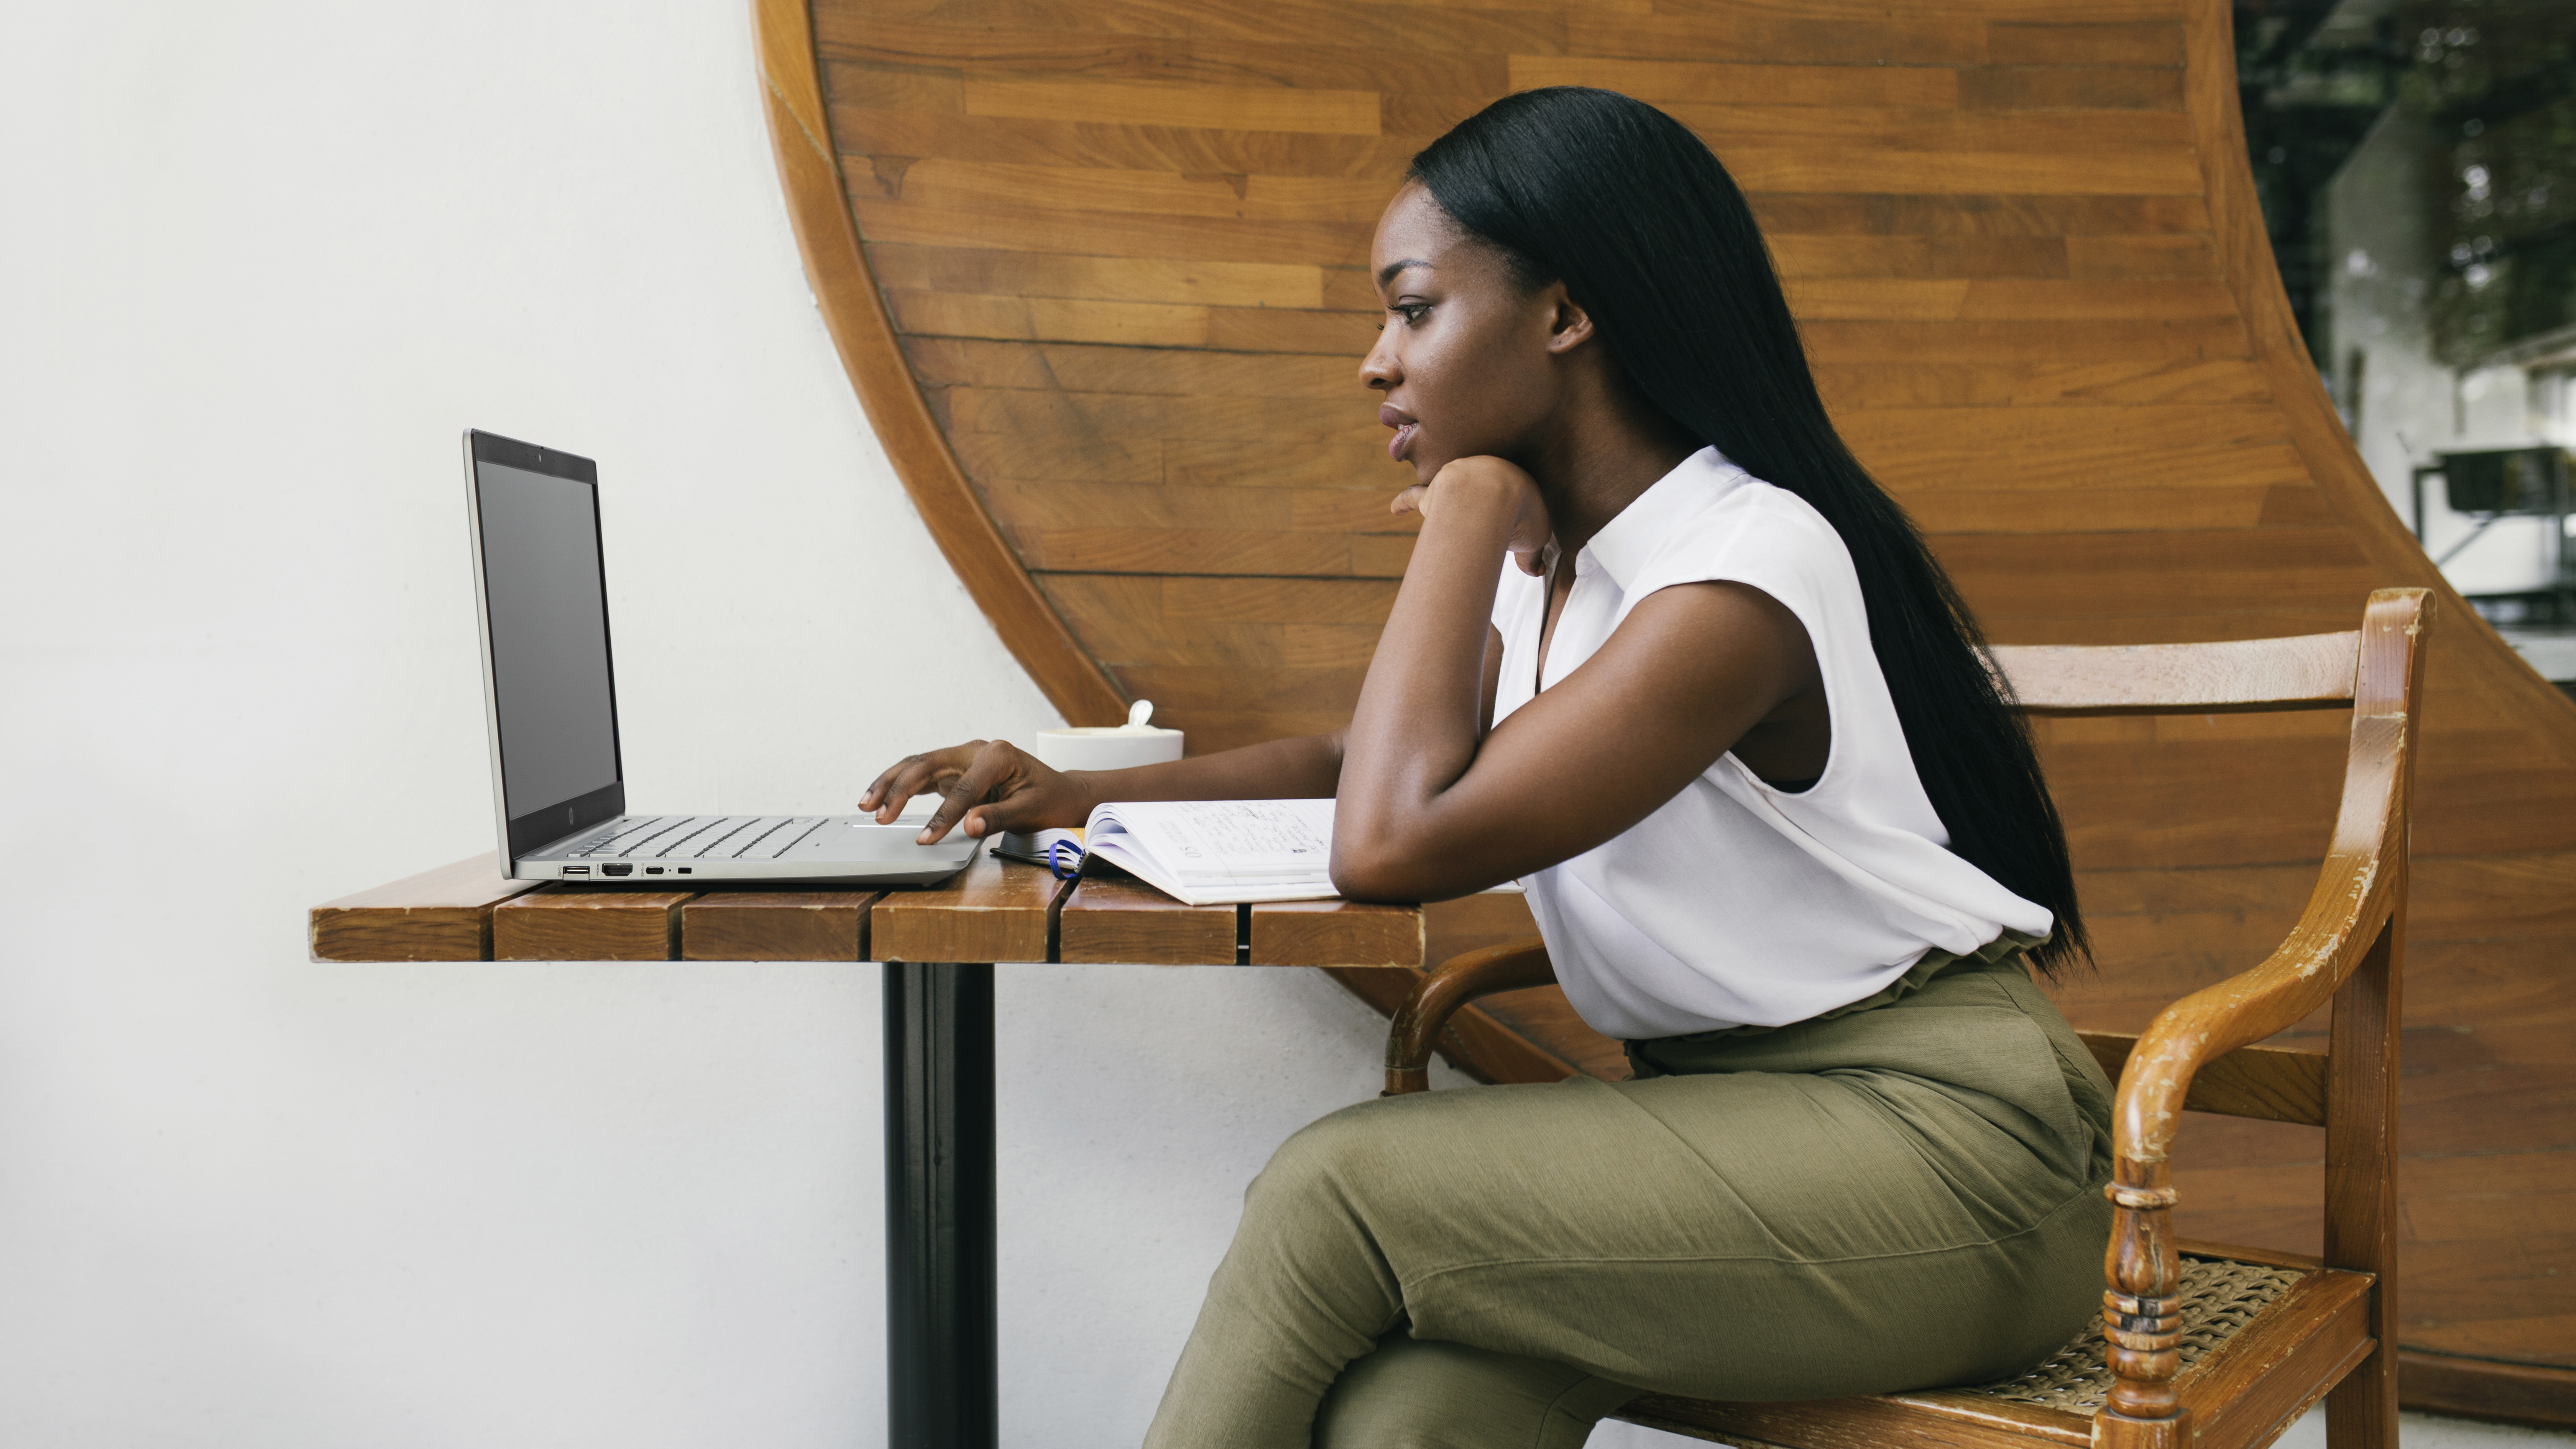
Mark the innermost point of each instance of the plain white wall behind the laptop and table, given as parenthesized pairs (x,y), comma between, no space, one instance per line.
(261,264)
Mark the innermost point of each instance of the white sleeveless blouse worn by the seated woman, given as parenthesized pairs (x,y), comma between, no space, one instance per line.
(1738,904)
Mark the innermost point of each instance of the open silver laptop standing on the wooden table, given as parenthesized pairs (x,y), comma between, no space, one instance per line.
(553,713)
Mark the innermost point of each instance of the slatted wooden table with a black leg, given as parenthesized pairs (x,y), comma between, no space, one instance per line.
(939,948)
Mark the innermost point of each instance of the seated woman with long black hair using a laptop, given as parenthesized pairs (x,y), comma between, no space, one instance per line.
(1727,723)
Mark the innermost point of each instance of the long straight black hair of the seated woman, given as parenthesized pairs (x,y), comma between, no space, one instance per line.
(1655,241)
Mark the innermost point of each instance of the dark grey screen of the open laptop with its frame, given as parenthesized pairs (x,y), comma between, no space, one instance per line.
(547,641)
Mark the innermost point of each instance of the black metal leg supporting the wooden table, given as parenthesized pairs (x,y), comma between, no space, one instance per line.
(942,1321)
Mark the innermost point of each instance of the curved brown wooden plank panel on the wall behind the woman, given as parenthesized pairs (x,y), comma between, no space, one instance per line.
(1119,262)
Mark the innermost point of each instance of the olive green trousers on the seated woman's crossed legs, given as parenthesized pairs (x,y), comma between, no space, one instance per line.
(1889,1198)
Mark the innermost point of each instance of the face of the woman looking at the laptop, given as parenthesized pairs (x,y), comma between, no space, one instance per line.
(1464,360)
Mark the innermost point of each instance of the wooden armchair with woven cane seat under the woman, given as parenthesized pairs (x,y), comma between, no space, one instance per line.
(2201,1347)
